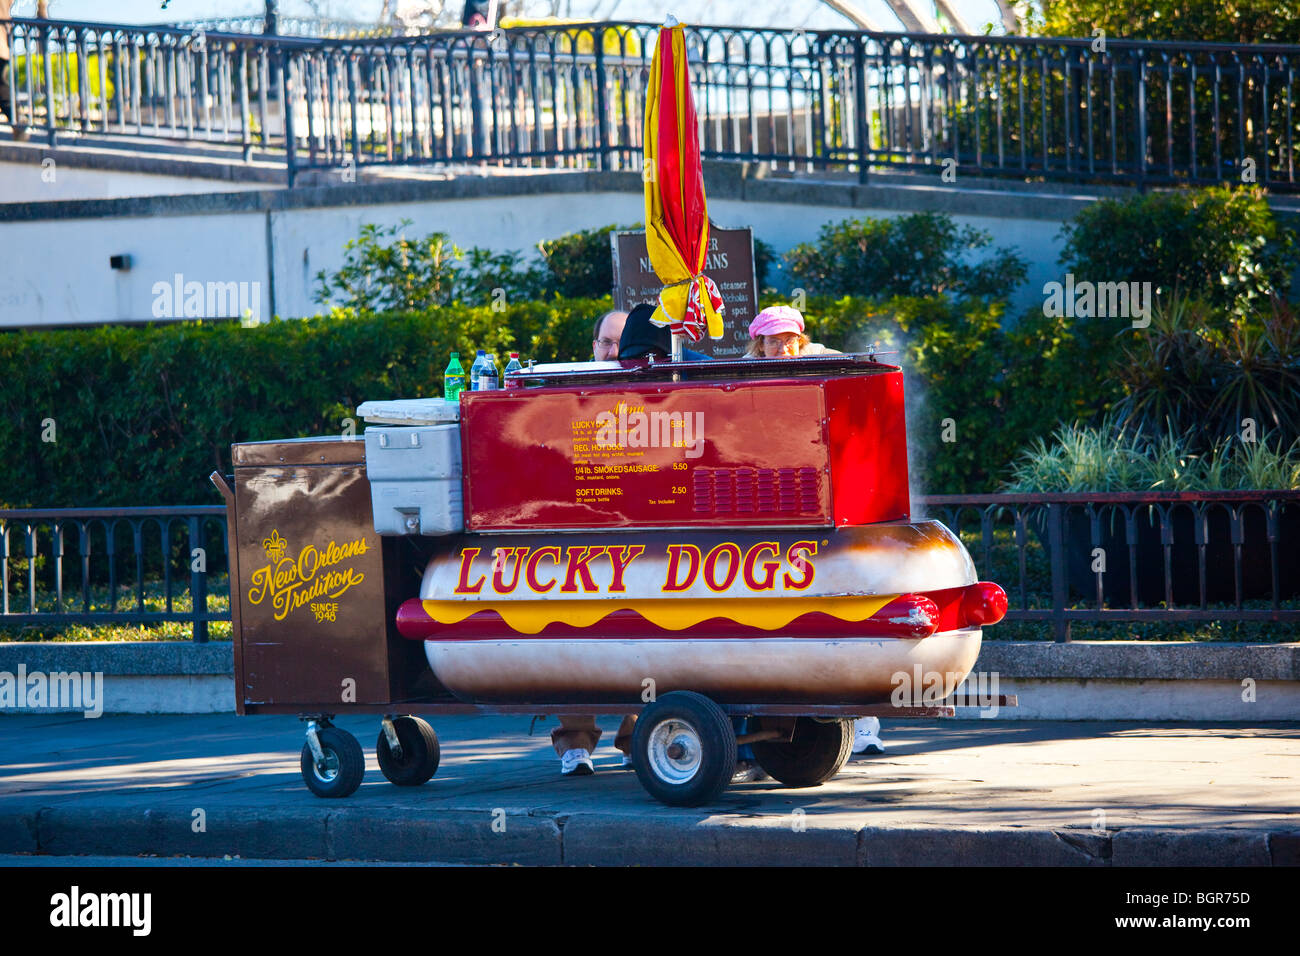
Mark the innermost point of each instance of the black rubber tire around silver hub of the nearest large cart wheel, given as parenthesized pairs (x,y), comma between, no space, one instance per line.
(717,746)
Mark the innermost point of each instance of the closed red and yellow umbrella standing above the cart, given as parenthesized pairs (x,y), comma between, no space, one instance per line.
(677,210)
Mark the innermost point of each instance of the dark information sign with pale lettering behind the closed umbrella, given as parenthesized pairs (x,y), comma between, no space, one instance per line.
(730,265)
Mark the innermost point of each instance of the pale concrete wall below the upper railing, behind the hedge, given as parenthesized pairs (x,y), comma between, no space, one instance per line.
(281,239)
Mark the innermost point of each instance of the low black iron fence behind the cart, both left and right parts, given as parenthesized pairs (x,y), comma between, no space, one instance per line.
(1134,557)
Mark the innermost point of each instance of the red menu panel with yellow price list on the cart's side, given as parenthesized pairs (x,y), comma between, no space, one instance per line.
(665,457)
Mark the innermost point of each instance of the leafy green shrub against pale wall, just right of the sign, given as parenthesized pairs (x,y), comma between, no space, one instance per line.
(917,256)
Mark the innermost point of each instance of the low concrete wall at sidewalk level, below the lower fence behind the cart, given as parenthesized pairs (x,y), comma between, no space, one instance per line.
(1085,681)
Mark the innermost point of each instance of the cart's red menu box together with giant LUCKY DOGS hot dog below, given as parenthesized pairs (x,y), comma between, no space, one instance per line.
(759,551)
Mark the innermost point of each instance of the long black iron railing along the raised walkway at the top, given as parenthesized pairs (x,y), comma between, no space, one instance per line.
(840,102)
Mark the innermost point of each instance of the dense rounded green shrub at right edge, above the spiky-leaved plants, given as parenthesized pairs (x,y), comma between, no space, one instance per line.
(1219,244)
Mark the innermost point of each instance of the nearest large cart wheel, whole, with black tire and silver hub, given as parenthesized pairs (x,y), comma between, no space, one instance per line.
(684,750)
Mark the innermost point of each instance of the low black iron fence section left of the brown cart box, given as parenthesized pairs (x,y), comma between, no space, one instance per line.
(112,566)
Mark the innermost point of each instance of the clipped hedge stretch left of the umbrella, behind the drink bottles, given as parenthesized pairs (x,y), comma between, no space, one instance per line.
(144,414)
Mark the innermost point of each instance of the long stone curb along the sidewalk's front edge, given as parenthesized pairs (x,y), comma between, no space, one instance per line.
(509,836)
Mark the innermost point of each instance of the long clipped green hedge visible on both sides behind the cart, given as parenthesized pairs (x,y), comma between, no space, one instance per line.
(142,416)
